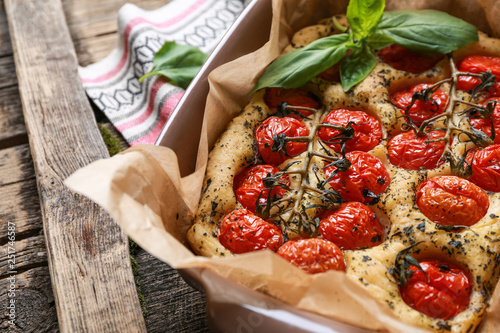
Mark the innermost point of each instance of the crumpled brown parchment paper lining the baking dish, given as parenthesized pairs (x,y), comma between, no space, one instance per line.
(142,188)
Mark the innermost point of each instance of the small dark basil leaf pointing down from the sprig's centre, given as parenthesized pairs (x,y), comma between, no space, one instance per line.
(356,66)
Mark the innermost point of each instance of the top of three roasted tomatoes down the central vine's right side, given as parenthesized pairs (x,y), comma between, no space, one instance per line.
(367,130)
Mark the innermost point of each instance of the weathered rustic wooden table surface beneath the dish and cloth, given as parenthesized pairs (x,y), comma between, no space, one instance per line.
(72,269)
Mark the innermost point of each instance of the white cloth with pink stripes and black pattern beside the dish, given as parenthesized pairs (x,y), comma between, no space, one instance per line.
(140,110)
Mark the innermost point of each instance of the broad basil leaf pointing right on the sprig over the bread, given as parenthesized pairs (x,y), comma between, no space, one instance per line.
(428,32)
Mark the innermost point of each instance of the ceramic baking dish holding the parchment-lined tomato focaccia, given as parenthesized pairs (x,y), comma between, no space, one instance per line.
(226,310)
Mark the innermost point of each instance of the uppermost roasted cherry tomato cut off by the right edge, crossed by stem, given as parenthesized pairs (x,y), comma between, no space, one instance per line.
(479,64)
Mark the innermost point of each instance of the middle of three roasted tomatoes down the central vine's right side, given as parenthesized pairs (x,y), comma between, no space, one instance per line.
(366,178)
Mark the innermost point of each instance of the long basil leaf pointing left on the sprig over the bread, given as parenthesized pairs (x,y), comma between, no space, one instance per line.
(296,68)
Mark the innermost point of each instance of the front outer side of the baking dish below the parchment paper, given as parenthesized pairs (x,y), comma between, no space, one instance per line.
(233,308)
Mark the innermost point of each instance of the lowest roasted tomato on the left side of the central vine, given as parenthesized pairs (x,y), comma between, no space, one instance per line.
(241,231)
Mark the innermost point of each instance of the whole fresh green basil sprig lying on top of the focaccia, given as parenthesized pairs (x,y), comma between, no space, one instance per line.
(427,32)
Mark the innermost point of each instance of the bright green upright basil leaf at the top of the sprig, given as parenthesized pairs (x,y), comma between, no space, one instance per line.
(363,17)
